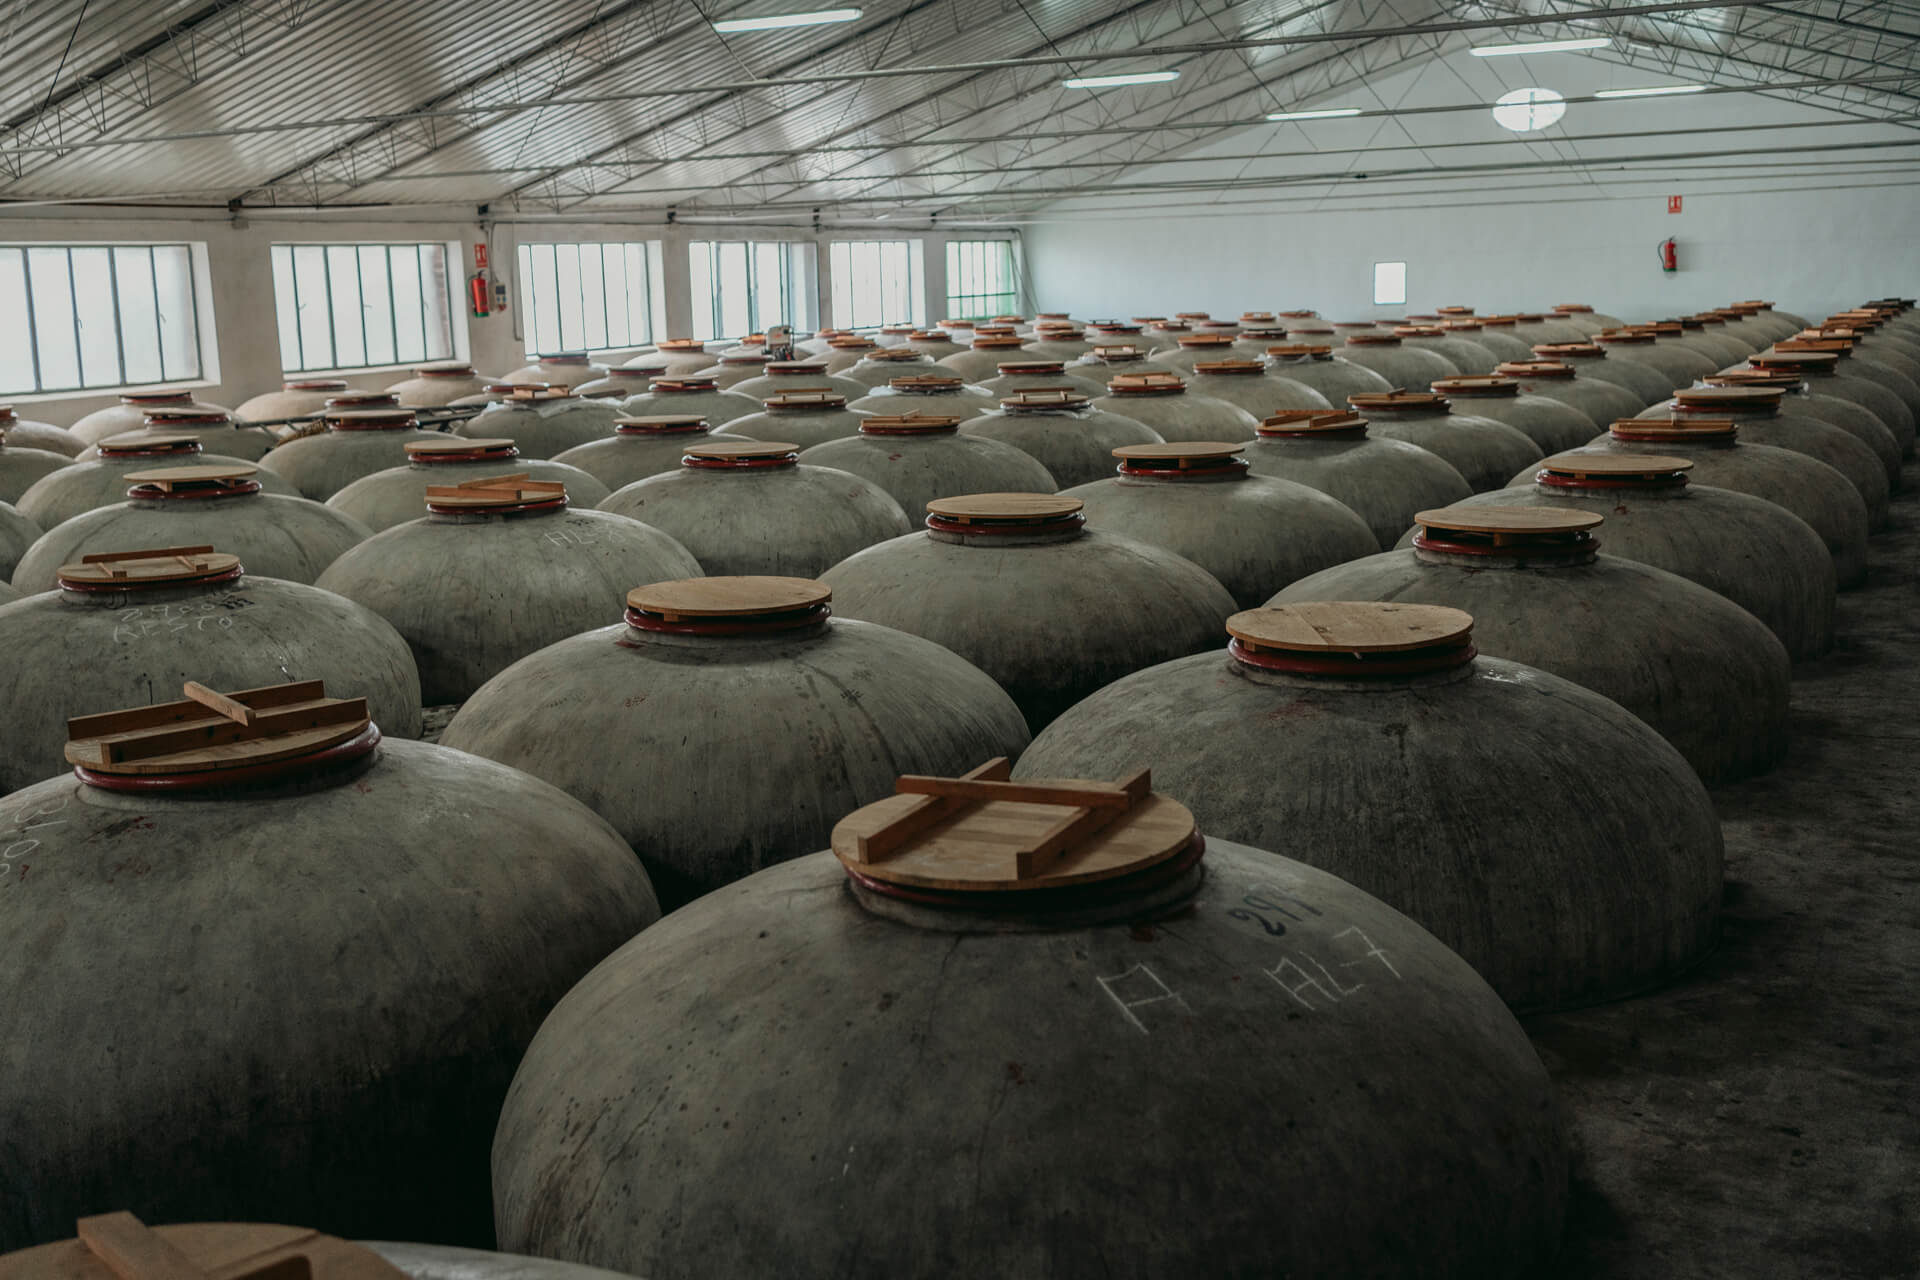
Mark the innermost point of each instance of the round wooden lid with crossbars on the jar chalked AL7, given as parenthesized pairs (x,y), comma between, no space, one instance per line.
(986,834)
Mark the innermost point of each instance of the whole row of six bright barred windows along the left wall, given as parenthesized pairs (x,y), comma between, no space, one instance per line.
(97,318)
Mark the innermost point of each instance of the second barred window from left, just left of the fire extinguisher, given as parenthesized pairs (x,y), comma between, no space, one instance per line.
(362,306)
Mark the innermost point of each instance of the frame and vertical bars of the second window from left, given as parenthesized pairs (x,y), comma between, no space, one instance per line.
(289,323)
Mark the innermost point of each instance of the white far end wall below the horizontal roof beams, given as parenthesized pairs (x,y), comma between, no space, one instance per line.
(1794,249)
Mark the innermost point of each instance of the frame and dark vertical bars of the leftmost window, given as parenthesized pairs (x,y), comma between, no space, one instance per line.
(201,346)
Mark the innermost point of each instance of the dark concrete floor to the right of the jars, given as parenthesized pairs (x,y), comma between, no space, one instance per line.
(1762,1118)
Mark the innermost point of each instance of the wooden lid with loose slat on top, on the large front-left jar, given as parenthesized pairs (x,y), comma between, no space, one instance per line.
(212,732)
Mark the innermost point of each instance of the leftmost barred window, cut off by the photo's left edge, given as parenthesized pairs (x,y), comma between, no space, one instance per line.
(78,318)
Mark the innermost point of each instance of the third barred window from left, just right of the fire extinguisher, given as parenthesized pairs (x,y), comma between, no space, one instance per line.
(587,296)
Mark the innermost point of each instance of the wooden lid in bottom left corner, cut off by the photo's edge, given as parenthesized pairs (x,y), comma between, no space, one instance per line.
(118,1246)
